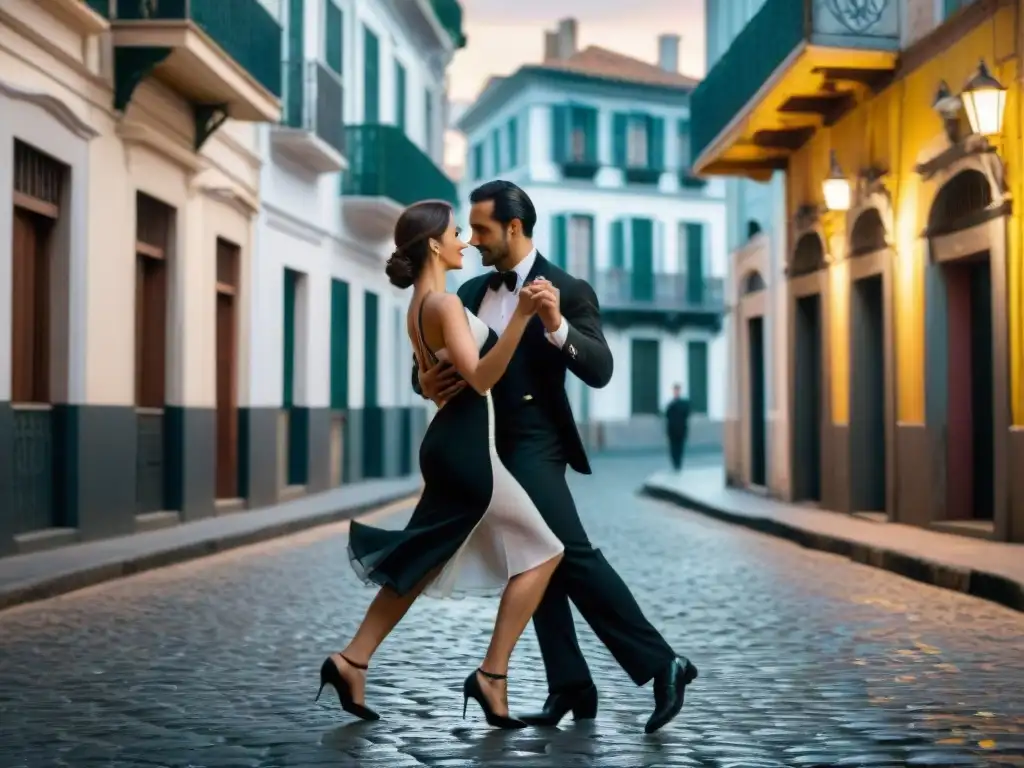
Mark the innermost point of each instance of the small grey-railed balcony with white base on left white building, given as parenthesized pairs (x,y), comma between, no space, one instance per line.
(313,133)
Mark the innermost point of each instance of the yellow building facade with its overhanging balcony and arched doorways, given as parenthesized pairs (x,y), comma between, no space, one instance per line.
(906,312)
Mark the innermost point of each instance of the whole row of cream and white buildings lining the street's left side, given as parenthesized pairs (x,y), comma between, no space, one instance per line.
(194,313)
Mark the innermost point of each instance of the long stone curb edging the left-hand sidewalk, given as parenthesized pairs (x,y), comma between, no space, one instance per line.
(63,584)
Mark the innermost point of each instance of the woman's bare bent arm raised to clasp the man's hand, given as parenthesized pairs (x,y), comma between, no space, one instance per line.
(480,373)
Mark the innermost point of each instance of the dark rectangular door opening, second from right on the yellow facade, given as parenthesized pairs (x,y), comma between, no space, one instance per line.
(868,409)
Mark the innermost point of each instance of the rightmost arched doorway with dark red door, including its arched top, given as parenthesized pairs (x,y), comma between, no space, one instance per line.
(960,397)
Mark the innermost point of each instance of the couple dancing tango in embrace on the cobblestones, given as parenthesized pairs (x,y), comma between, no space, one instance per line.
(496,513)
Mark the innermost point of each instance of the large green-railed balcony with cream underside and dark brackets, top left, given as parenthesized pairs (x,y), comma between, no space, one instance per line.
(223,56)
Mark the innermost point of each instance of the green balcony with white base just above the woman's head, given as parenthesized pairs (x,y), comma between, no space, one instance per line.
(387,174)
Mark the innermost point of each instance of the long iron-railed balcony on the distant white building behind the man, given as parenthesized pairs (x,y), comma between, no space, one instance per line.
(670,301)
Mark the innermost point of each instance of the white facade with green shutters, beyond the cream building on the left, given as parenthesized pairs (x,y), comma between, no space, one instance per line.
(363,137)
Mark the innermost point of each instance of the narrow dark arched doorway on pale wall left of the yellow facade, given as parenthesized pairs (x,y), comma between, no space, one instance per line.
(808,259)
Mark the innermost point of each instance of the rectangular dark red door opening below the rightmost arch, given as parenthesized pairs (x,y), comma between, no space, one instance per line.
(970,450)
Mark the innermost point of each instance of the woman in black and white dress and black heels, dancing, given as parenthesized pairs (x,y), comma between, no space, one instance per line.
(475,529)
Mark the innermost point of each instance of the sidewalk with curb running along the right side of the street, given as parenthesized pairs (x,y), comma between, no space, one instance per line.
(989,570)
